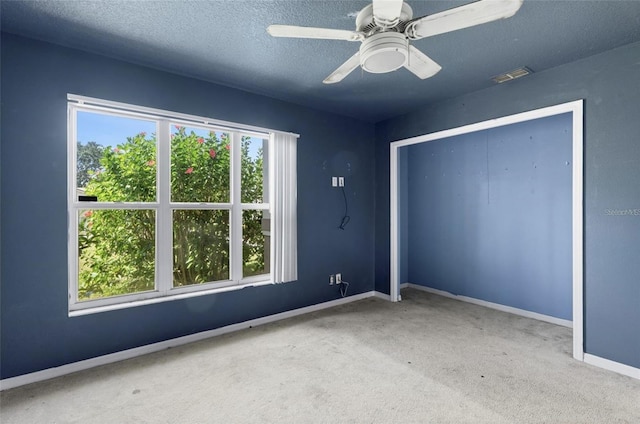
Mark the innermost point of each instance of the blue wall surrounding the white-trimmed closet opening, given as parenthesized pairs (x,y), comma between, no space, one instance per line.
(610,84)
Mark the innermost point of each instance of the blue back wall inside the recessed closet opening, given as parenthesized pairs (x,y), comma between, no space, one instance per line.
(489,215)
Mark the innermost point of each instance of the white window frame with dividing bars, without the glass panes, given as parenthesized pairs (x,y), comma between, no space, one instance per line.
(164,207)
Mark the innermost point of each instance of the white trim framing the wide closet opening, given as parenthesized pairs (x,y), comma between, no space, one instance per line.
(576,108)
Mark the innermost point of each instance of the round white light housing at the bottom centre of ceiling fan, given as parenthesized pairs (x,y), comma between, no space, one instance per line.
(384,52)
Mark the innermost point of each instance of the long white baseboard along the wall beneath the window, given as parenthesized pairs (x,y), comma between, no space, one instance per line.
(34,377)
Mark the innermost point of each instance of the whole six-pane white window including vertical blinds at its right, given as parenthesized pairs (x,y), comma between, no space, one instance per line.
(164,204)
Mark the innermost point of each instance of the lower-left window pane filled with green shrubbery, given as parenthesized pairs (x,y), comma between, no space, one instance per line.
(116,252)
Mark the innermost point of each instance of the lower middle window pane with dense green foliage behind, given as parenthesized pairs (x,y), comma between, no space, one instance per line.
(200,246)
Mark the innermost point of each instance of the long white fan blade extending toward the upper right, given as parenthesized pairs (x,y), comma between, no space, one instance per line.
(469,15)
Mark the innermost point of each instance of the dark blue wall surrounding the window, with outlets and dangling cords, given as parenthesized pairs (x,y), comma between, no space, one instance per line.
(36,330)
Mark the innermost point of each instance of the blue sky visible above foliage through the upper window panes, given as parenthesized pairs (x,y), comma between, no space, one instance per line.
(109,130)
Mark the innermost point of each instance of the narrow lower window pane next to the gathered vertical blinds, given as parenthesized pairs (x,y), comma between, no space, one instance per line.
(256,243)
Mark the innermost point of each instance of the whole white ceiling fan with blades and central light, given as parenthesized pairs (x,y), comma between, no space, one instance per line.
(385,28)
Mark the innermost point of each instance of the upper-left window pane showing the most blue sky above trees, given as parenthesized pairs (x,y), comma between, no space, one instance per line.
(116,158)
